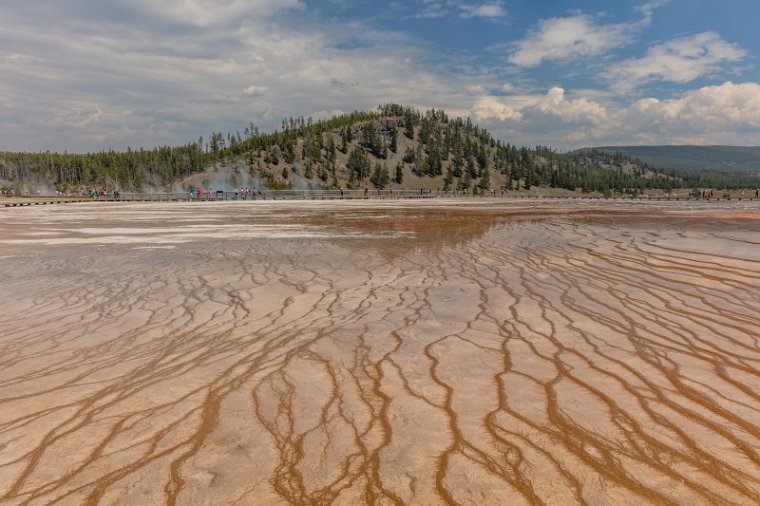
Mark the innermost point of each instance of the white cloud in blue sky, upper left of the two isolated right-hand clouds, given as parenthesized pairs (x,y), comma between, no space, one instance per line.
(570,37)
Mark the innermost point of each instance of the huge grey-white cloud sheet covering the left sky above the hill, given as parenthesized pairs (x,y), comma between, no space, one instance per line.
(156,85)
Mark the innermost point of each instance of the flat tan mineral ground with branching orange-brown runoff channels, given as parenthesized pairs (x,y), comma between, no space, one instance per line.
(356,353)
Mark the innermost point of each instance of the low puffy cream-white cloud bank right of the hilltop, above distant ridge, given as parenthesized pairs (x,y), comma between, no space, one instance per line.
(724,114)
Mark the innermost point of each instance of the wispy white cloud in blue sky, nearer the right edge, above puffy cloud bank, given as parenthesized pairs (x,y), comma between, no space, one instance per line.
(681,60)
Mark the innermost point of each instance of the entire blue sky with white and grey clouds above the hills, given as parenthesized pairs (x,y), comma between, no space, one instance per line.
(90,75)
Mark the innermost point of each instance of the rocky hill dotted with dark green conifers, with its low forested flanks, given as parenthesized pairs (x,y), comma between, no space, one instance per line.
(393,146)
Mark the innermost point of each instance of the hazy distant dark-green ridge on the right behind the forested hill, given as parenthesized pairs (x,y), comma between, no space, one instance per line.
(716,158)
